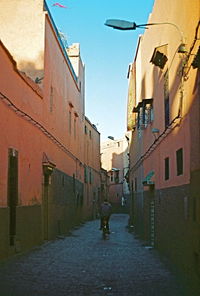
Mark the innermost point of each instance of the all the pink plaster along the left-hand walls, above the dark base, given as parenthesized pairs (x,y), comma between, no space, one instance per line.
(67,151)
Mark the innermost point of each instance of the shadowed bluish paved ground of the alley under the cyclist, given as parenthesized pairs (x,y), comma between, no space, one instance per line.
(85,264)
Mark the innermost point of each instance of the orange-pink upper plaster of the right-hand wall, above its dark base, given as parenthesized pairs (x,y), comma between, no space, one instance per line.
(150,84)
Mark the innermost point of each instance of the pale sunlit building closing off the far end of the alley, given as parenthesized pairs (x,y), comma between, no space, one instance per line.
(114,159)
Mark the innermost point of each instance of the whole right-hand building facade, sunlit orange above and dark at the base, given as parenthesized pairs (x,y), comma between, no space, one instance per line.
(164,118)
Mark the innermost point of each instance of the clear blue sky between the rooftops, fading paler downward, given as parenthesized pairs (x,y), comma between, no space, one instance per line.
(105,52)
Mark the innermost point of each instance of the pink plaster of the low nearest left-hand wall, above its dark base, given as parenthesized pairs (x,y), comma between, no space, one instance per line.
(18,133)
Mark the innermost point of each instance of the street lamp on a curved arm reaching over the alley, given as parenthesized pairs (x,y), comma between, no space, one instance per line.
(126,25)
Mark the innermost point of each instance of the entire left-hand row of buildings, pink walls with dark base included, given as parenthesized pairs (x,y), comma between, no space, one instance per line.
(43,158)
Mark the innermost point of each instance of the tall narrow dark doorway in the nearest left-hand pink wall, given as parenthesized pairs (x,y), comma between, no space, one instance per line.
(12,192)
